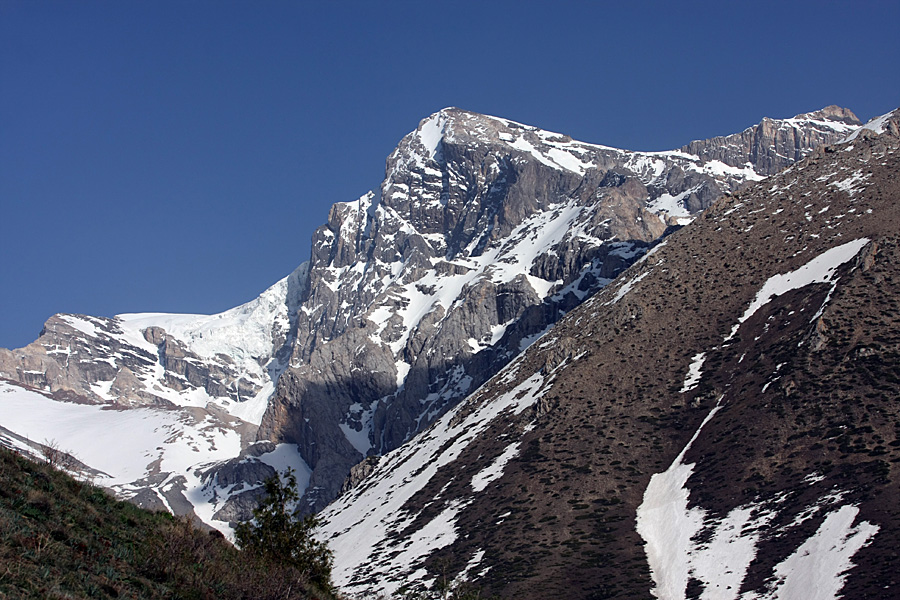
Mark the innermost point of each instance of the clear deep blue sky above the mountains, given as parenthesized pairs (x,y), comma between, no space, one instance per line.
(177,156)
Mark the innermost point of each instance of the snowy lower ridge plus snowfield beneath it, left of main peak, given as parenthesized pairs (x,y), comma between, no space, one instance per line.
(158,398)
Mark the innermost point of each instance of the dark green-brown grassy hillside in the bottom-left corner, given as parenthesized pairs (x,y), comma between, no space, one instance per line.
(64,538)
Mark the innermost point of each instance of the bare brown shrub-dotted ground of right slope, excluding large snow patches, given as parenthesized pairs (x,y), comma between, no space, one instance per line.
(809,399)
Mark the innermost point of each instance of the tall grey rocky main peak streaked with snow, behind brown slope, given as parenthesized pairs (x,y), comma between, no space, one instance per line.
(483,234)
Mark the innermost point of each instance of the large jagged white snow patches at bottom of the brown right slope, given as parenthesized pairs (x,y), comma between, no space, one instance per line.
(814,571)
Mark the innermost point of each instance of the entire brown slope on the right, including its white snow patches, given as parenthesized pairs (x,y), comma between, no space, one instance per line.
(721,421)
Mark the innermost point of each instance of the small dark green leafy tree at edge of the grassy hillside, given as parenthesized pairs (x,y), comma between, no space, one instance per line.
(277,534)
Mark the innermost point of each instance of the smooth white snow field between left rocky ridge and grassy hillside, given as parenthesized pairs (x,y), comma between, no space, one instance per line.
(128,446)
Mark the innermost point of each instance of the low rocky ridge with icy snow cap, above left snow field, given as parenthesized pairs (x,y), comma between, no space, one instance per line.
(229,359)
